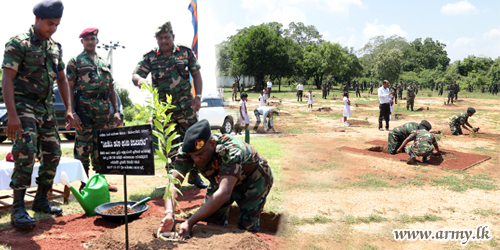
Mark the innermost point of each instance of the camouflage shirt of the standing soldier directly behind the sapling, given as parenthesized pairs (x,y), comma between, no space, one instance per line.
(171,74)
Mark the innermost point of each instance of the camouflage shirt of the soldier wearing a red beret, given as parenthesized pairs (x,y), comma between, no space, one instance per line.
(88,75)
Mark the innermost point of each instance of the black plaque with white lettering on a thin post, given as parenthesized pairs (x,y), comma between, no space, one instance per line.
(126,150)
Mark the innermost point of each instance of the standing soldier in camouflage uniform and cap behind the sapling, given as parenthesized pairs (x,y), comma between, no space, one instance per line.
(170,66)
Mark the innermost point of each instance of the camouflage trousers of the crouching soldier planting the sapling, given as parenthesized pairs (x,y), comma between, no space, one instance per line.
(250,197)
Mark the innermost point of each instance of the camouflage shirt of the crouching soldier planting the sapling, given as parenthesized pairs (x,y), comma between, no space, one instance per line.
(232,157)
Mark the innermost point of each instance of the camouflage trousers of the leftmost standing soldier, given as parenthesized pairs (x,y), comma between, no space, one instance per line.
(40,139)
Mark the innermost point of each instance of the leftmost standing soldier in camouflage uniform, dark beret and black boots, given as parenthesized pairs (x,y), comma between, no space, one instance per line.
(32,62)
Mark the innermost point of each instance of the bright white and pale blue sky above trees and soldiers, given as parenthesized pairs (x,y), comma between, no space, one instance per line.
(467,27)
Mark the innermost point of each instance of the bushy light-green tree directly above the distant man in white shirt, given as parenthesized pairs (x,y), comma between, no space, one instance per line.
(388,65)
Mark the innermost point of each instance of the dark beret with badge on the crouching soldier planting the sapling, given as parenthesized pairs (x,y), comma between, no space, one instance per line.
(196,136)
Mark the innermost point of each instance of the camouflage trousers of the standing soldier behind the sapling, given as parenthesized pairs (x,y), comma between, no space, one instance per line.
(183,119)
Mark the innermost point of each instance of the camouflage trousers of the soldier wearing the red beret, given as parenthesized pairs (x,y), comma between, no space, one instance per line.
(94,115)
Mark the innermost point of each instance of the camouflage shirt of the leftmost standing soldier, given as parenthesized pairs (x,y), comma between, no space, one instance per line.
(37,64)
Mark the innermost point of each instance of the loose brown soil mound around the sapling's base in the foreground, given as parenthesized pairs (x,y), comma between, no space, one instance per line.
(142,235)
